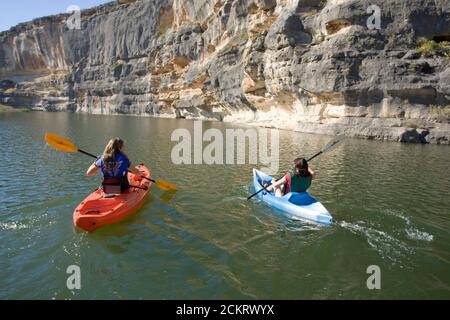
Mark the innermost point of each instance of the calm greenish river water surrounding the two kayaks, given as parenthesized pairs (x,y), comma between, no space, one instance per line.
(390,201)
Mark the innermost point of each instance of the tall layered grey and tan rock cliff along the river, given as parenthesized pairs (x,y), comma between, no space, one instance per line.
(306,65)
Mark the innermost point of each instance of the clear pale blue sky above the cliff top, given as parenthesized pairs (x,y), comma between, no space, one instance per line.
(13,12)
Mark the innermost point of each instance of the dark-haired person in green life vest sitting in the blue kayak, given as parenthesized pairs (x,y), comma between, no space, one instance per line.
(297,180)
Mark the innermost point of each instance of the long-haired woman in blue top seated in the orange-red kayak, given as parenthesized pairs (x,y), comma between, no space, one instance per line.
(114,165)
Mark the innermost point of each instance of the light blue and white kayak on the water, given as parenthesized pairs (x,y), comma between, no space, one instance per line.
(295,205)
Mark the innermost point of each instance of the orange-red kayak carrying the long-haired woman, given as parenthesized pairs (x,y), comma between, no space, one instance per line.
(100,209)
